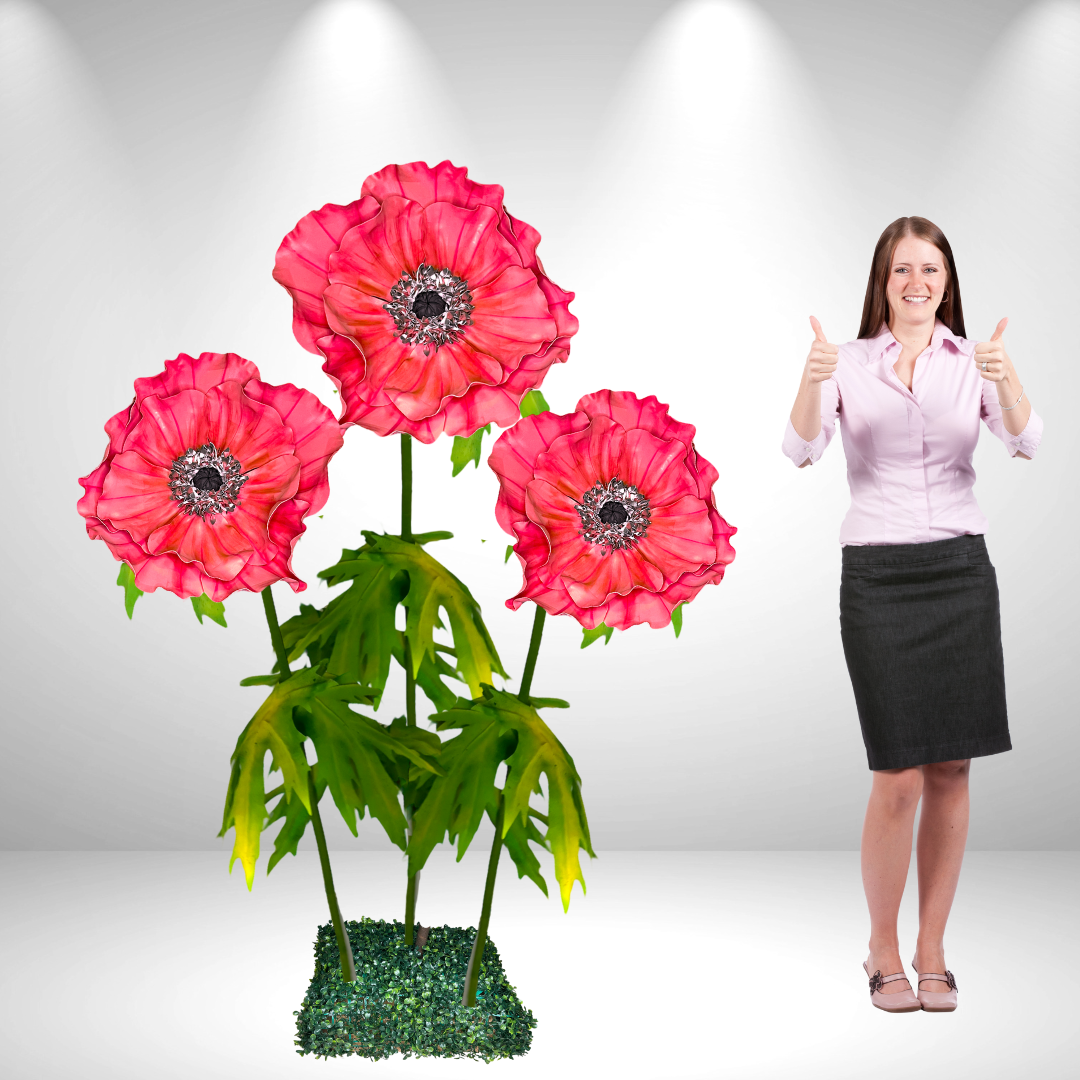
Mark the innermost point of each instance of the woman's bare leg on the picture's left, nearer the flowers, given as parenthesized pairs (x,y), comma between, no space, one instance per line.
(886,858)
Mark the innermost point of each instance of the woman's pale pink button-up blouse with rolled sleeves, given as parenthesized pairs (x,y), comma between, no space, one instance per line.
(910,451)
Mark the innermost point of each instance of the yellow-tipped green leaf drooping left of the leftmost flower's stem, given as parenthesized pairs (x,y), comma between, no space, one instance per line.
(271,730)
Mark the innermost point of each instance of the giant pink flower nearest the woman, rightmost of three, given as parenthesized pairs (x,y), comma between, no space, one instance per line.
(612,509)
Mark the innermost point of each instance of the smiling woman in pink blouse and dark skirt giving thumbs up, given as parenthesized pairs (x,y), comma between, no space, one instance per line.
(920,614)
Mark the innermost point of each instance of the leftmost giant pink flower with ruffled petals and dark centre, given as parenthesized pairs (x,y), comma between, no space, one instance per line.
(209,476)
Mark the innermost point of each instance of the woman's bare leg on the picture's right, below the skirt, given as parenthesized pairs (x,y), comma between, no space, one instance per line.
(943,832)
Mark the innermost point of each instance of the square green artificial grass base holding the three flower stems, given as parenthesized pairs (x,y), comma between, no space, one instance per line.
(404,1003)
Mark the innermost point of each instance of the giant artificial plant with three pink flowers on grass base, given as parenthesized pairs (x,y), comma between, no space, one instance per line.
(435,317)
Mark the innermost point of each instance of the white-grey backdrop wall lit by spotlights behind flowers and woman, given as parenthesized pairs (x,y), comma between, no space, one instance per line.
(706,175)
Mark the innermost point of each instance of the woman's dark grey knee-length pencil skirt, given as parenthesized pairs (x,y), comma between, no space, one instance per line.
(922,633)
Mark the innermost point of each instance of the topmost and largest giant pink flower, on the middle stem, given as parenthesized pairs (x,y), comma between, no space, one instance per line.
(428,302)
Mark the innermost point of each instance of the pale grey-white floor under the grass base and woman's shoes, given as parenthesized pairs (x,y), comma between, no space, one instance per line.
(148,965)
